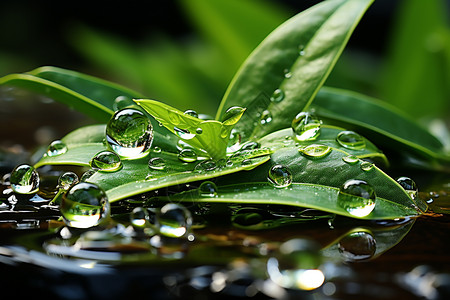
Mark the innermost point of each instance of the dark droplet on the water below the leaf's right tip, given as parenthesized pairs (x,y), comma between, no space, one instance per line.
(357,246)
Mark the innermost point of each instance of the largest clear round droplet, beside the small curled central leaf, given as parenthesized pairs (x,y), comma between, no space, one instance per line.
(129,133)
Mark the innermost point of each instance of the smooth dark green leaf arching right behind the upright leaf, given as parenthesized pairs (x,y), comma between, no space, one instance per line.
(386,125)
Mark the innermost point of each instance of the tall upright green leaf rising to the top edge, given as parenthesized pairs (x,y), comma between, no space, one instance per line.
(307,47)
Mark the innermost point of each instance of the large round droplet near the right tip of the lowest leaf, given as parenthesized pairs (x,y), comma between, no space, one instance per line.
(357,197)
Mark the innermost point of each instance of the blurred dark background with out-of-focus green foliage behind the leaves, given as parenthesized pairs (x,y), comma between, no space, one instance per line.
(185,52)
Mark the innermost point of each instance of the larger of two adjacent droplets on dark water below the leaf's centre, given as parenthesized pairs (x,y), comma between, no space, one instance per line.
(174,220)
